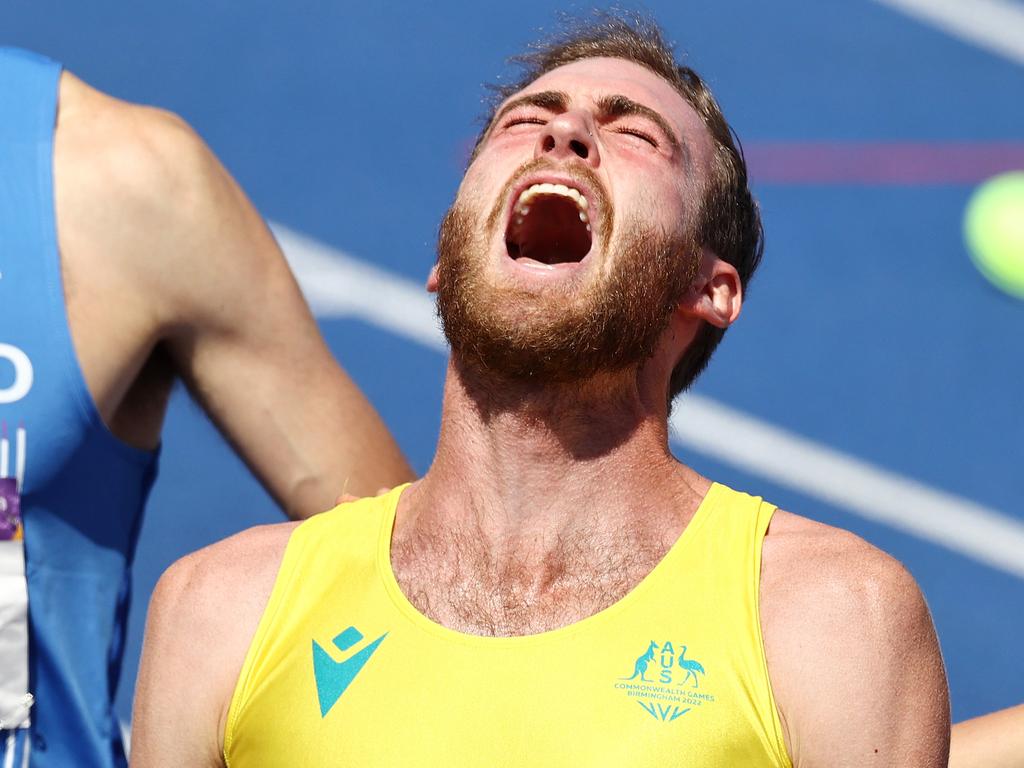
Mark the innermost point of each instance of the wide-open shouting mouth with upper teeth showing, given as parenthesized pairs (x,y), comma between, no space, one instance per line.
(549,226)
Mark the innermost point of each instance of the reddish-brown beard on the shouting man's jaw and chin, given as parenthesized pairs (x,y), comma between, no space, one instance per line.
(610,324)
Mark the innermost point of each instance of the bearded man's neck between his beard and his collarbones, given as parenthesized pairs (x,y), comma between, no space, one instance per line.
(528,463)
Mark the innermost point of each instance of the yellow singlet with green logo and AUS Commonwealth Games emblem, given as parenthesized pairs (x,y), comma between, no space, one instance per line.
(345,671)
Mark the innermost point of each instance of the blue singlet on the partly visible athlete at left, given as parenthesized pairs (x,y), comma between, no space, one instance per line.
(81,491)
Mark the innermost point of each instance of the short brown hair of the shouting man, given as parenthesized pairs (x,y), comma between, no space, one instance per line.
(729,222)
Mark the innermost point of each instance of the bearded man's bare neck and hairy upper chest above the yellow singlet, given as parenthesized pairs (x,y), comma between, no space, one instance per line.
(544,504)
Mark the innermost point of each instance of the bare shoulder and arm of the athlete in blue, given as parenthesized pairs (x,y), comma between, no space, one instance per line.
(180,266)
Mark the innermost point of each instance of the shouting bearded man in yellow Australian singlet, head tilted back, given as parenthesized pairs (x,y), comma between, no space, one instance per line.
(559,589)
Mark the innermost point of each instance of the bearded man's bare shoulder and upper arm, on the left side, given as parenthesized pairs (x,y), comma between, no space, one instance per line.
(202,618)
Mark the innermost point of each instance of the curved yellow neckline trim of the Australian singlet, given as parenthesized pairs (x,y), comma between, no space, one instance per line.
(646,585)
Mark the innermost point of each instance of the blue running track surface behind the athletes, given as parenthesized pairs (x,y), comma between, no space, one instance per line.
(868,330)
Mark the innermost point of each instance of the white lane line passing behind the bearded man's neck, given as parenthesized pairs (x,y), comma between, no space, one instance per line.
(338,285)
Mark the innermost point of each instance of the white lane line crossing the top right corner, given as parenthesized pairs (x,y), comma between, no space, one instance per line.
(997,26)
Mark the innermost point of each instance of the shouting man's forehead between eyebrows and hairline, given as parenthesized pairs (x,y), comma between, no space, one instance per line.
(588,80)
